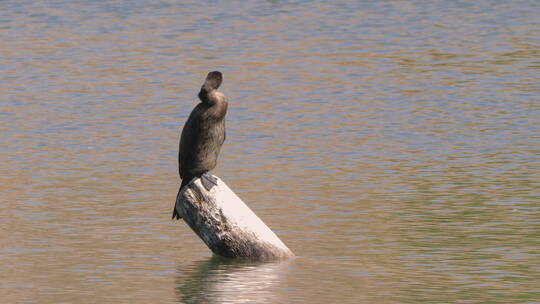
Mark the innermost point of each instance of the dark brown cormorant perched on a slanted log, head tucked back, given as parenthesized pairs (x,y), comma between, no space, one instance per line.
(203,135)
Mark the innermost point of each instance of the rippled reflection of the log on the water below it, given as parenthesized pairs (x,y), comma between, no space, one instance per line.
(222,280)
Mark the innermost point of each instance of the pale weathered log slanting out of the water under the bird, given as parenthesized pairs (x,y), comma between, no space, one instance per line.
(226,224)
